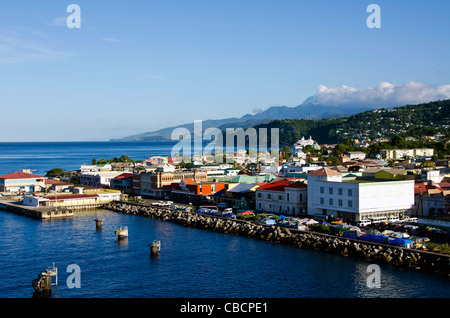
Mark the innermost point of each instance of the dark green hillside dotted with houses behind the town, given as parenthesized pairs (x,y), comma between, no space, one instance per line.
(408,121)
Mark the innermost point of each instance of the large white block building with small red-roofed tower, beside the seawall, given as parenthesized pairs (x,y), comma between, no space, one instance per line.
(355,200)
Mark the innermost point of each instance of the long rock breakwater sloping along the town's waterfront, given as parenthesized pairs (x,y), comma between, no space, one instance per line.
(373,252)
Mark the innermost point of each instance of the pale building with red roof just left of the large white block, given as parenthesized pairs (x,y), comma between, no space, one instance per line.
(287,197)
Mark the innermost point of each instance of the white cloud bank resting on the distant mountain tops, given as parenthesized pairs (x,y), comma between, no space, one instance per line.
(384,94)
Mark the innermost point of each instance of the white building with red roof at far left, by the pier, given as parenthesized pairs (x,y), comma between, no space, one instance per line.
(22,181)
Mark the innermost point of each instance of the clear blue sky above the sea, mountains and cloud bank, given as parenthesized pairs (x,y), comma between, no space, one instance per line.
(137,66)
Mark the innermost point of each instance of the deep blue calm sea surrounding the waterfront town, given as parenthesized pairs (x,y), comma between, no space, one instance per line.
(193,263)
